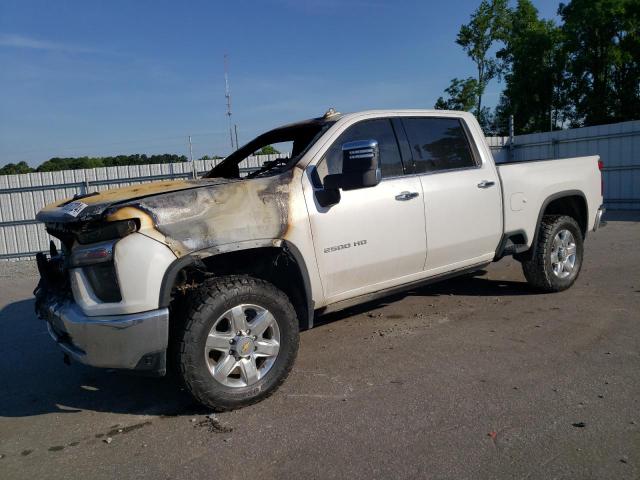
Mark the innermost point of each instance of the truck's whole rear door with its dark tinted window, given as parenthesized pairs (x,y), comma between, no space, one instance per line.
(463,205)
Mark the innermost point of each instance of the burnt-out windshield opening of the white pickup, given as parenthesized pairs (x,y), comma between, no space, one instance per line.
(299,137)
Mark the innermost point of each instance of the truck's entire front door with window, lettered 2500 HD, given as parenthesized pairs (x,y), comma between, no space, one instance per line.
(374,237)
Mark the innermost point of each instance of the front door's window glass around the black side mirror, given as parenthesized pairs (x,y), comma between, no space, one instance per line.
(378,129)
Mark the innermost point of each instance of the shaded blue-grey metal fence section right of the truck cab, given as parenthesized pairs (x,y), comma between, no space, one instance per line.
(617,144)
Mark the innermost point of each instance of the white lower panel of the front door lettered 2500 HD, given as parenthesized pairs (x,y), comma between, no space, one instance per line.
(352,249)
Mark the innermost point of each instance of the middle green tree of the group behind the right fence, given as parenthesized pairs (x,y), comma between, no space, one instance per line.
(532,62)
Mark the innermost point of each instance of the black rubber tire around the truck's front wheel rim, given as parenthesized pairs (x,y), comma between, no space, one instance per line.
(204,306)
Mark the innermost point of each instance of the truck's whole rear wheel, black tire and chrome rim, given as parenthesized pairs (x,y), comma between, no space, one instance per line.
(557,258)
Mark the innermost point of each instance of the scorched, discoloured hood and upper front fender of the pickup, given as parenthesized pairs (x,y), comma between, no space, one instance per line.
(186,215)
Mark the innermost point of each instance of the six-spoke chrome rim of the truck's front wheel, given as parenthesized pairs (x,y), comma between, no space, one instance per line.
(242,345)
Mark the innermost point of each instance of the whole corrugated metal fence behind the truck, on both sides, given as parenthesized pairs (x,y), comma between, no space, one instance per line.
(21,196)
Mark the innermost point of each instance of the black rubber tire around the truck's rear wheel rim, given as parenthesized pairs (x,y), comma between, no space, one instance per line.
(538,269)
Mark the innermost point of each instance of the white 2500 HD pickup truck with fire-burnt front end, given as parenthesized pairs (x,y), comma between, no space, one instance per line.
(216,276)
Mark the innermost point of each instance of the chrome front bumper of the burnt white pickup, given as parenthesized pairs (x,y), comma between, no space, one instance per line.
(134,341)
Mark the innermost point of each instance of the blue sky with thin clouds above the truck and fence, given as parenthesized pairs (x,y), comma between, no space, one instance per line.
(106,77)
